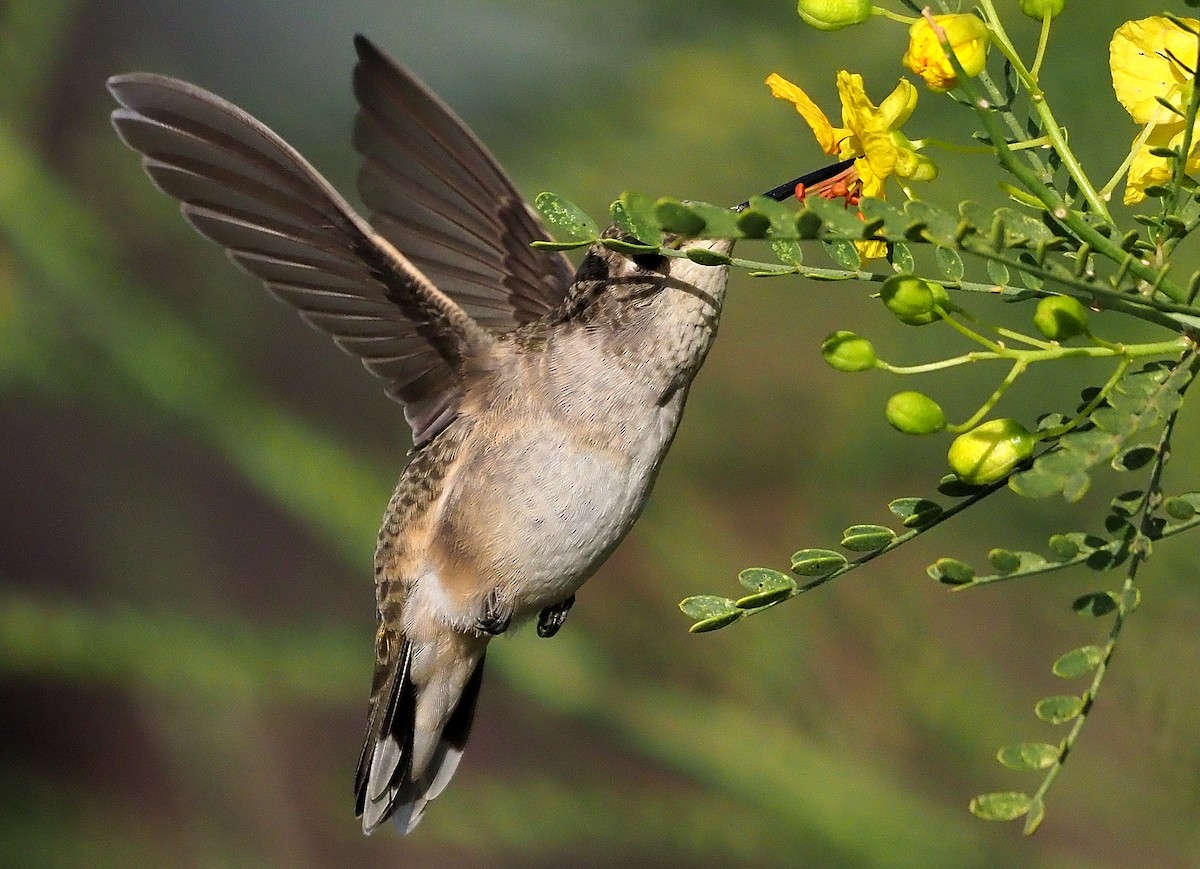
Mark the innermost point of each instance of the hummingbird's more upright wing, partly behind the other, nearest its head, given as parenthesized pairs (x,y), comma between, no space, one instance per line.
(439,196)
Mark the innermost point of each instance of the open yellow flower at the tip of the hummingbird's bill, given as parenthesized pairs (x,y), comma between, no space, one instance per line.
(871,134)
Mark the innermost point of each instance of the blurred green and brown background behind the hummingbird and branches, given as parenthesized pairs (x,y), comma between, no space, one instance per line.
(193,483)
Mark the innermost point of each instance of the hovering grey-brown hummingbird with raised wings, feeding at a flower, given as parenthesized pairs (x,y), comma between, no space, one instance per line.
(542,398)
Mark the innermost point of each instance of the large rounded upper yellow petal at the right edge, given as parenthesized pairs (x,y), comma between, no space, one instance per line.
(1141,58)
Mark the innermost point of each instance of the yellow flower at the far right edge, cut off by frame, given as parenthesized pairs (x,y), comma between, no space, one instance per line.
(1154,59)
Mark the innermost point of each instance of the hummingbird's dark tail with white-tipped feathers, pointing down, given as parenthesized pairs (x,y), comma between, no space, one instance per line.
(422,712)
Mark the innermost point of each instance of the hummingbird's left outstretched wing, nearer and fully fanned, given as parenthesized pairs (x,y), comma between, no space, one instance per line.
(244,188)
